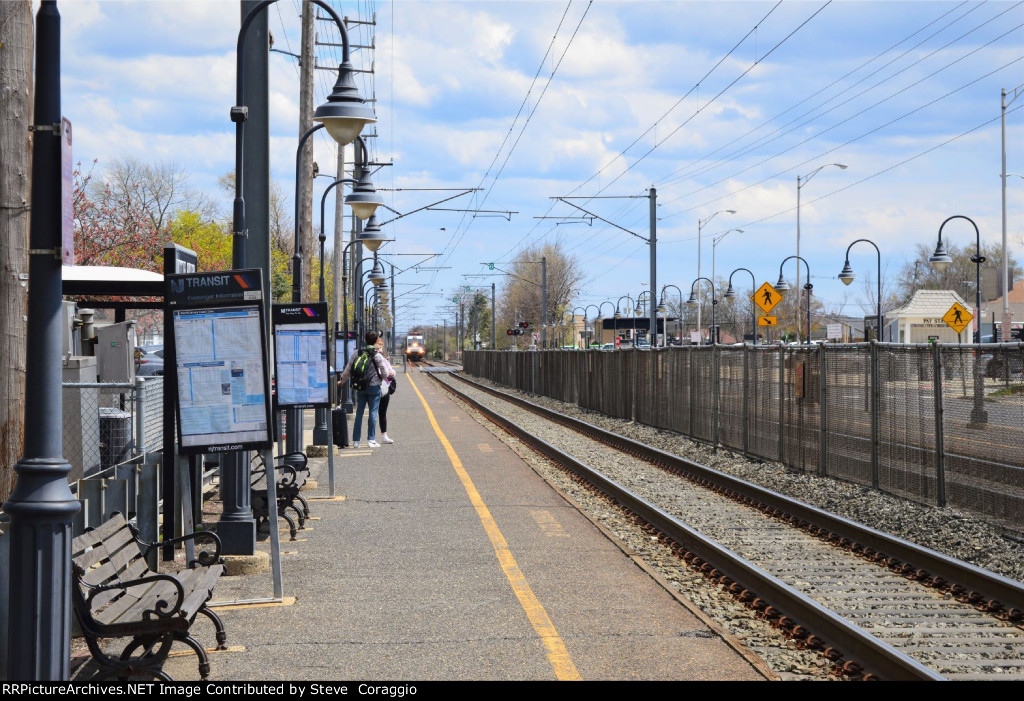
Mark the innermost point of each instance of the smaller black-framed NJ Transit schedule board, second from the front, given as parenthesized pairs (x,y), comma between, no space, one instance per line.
(302,364)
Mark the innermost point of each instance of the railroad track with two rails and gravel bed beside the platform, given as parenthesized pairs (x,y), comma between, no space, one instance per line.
(876,606)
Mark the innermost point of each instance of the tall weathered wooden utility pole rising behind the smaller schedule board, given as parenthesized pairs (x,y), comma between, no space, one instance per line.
(306,176)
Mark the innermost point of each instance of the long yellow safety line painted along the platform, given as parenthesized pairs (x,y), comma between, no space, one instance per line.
(559,656)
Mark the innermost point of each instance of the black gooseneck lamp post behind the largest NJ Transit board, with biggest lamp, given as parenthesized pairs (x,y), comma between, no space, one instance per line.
(344,116)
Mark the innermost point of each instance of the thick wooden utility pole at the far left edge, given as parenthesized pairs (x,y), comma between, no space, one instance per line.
(16,147)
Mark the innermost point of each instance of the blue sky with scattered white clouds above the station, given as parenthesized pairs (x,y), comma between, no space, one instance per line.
(719,106)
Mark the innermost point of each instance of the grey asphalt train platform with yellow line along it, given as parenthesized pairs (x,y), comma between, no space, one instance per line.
(445,557)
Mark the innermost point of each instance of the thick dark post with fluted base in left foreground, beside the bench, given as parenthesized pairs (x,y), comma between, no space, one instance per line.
(41,506)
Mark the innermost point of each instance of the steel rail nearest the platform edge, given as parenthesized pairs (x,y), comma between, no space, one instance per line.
(805,618)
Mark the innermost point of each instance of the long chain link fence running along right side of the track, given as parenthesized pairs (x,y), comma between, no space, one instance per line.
(941,425)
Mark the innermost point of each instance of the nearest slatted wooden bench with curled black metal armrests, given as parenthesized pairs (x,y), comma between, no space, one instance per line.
(115,595)
